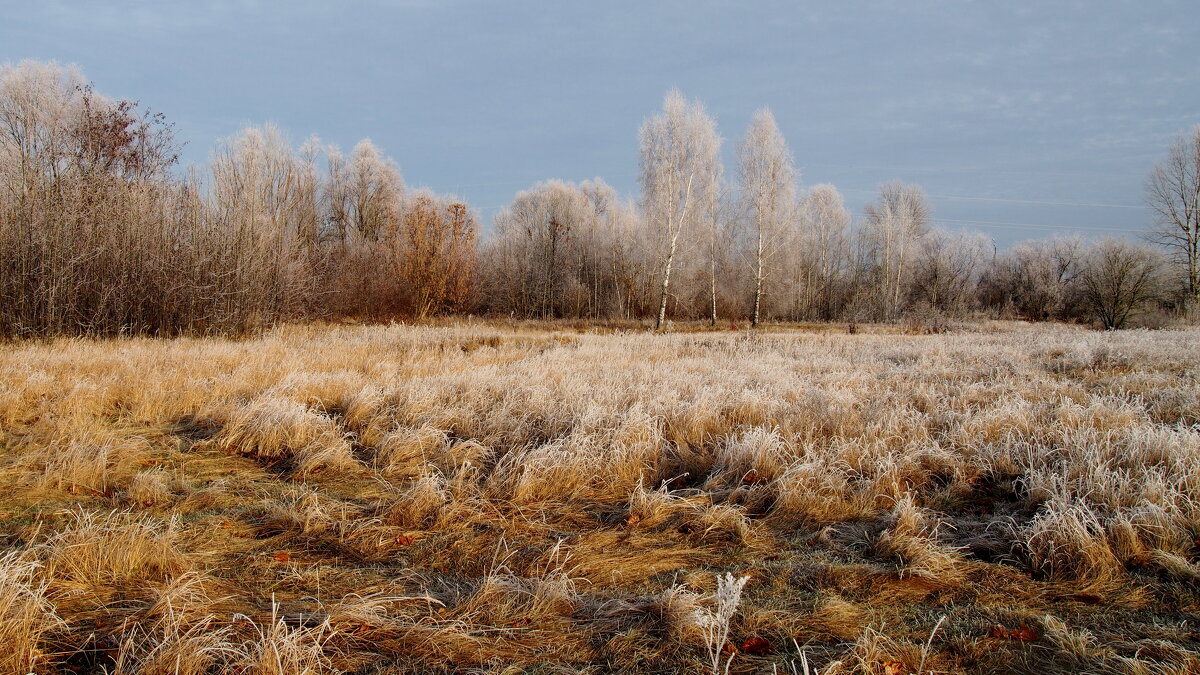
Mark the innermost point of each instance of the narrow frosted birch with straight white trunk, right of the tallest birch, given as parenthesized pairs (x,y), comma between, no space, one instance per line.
(769,189)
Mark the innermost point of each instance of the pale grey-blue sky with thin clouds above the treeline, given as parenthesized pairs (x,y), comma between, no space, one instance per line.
(1021,120)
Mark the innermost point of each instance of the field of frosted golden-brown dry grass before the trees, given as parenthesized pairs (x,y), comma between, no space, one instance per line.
(524,499)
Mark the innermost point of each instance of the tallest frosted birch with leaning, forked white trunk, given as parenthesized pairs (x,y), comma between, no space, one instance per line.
(681,160)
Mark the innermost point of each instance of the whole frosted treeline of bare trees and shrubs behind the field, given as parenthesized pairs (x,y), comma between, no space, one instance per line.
(101,234)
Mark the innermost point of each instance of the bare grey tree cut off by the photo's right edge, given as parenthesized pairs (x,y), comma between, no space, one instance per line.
(1174,193)
